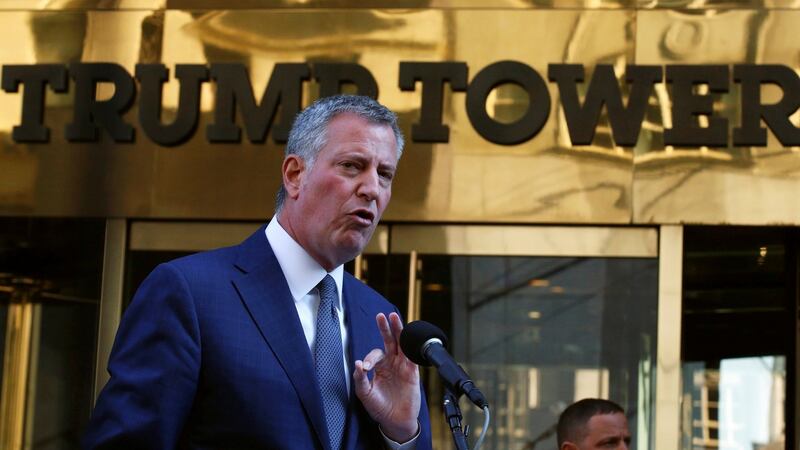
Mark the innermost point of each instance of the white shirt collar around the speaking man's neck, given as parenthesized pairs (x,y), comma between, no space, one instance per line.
(301,271)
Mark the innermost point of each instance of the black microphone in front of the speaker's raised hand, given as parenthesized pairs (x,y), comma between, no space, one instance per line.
(424,344)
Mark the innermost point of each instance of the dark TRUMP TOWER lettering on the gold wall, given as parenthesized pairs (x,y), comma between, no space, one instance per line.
(271,113)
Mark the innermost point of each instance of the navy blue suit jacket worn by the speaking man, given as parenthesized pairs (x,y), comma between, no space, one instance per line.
(210,354)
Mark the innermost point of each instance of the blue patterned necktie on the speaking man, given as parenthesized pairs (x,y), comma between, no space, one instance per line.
(329,363)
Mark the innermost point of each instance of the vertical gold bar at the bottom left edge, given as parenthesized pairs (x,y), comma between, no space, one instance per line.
(16,365)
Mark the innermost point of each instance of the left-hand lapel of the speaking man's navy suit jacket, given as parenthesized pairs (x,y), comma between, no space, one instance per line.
(266,296)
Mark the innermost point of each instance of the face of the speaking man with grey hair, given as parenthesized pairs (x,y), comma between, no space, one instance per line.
(342,197)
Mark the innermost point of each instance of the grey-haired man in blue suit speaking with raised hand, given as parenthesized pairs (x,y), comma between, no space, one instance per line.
(227,349)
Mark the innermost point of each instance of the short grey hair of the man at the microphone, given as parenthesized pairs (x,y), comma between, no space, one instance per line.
(309,131)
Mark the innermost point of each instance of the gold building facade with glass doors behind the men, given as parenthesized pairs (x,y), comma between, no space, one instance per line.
(664,277)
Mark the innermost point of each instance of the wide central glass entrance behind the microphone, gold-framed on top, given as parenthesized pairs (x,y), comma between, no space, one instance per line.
(539,316)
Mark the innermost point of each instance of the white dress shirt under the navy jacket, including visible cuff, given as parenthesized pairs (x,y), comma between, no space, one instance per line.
(303,274)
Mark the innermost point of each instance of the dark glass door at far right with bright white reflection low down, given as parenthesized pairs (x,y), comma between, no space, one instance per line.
(739,341)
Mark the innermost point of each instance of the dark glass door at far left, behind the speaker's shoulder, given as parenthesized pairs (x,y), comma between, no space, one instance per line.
(50,283)
